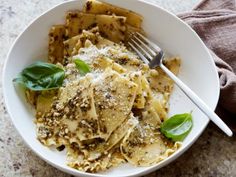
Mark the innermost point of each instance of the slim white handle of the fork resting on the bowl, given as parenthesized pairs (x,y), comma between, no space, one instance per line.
(198,102)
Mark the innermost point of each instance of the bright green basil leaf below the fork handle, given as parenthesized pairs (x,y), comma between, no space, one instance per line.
(177,127)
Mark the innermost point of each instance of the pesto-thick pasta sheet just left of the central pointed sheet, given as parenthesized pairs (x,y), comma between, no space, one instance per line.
(81,117)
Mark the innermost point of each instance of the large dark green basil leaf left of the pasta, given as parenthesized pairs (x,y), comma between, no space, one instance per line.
(41,76)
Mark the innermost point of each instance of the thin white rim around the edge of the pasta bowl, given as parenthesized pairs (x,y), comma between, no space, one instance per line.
(77,172)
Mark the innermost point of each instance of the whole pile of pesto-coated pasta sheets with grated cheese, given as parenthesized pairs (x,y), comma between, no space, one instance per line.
(111,114)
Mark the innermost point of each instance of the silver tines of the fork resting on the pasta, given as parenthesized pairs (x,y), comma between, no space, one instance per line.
(145,48)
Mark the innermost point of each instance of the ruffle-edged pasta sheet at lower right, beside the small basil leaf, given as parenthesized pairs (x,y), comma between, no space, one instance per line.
(144,145)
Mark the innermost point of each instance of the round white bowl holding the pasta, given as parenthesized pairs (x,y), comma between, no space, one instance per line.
(197,71)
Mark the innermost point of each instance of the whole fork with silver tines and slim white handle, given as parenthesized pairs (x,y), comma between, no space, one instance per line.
(152,55)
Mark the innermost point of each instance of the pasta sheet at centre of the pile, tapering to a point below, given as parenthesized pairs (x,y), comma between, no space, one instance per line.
(114,96)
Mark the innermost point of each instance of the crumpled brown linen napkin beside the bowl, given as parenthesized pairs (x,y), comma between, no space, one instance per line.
(215,22)
